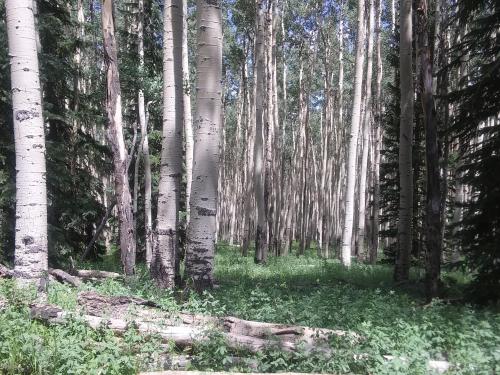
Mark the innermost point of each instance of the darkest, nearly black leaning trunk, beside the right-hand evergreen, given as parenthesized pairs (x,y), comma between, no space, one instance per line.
(433,201)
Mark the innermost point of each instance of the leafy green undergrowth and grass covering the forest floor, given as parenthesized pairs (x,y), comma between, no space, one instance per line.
(302,290)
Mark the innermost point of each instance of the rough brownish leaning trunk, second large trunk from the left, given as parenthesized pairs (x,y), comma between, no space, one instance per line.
(115,136)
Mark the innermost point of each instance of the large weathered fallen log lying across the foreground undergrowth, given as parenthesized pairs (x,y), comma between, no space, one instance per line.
(186,330)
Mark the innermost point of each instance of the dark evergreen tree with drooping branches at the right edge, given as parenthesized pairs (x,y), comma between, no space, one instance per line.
(477,129)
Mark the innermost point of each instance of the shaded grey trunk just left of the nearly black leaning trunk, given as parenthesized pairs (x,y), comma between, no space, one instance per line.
(402,269)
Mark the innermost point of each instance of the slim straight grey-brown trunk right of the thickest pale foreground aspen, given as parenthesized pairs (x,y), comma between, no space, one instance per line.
(259,172)
